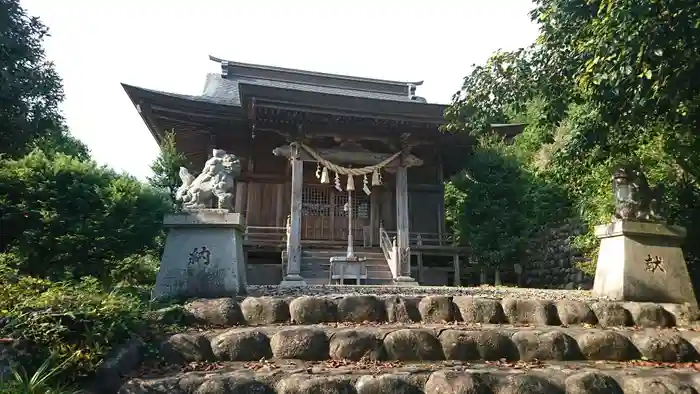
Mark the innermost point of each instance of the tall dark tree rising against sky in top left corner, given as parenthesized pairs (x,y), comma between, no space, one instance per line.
(31,88)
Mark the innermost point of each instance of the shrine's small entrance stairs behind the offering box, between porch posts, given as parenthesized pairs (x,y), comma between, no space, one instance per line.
(315,265)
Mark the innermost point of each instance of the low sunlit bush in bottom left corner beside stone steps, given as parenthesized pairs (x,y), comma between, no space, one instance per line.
(79,321)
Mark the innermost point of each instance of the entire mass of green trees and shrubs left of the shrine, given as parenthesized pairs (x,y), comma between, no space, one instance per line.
(79,243)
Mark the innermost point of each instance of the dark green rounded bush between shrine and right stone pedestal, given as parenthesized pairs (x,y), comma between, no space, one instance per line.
(498,203)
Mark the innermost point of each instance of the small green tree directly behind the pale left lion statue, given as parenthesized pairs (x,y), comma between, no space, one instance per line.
(166,167)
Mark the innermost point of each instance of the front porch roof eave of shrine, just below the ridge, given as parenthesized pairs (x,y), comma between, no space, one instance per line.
(299,100)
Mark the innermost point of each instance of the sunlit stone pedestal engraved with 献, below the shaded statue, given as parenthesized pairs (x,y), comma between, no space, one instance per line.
(642,262)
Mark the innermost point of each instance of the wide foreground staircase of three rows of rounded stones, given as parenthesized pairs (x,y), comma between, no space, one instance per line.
(375,340)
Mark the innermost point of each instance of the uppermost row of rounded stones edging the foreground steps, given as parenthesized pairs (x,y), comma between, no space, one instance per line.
(400,308)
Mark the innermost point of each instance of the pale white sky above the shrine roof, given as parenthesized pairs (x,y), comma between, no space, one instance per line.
(165,45)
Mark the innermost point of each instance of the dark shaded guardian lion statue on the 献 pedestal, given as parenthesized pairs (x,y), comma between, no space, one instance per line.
(634,198)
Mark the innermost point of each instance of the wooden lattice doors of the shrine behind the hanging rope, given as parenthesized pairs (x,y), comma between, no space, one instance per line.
(324,217)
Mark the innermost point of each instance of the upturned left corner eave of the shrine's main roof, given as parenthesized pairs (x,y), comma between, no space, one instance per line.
(146,101)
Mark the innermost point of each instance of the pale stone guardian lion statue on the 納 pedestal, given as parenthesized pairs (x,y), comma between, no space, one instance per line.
(215,181)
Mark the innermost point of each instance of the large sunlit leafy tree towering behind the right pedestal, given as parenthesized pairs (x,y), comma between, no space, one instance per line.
(606,81)
